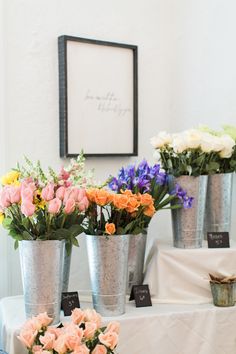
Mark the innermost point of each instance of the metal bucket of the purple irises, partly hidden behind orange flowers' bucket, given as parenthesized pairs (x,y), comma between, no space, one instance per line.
(137,247)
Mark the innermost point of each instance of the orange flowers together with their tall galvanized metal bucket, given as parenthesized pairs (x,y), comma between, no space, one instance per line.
(110,220)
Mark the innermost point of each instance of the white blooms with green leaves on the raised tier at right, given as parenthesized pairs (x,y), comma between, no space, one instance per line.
(195,152)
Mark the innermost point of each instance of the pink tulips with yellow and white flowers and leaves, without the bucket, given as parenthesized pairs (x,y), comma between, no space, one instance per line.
(36,206)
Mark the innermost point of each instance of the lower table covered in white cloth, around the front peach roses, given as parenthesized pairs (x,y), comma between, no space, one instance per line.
(160,329)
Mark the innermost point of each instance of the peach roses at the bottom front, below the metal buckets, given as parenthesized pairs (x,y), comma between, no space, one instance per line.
(83,335)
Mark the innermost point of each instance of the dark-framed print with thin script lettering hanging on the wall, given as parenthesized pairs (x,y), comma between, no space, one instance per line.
(98,95)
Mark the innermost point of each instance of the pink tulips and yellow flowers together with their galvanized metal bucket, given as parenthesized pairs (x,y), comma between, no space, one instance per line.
(44,215)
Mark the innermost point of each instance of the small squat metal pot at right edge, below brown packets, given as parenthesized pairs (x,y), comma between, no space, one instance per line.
(223,294)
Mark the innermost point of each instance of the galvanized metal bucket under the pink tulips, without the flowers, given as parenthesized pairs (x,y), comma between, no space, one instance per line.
(41,268)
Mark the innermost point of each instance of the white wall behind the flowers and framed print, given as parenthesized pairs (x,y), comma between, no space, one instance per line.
(186,76)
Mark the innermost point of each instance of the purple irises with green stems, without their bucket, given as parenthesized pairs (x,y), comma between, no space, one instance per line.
(151,180)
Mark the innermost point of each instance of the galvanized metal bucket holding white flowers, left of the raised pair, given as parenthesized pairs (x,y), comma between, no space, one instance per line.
(187,224)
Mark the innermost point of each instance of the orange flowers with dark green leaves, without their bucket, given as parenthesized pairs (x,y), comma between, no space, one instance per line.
(120,214)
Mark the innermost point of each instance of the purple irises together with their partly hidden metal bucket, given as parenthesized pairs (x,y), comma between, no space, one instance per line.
(152,180)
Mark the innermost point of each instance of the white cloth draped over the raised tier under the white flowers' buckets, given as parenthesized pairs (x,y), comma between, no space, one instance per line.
(179,275)
